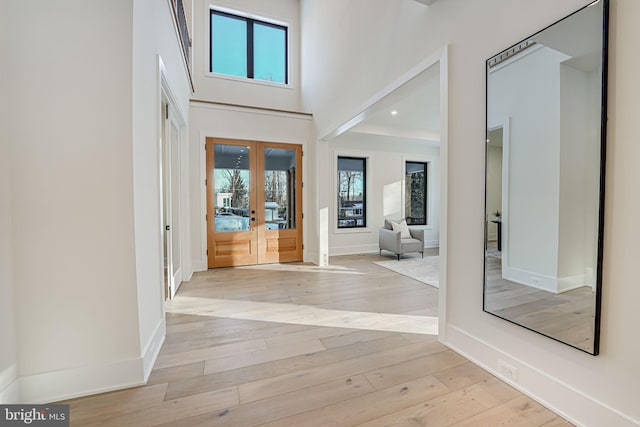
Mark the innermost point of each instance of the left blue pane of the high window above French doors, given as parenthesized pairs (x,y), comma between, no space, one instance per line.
(228,45)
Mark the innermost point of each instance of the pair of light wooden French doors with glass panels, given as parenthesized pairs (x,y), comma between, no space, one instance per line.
(254,202)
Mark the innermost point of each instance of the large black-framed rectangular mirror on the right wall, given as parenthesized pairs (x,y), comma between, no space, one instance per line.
(546,119)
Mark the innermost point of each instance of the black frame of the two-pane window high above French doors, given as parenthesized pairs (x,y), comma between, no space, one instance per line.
(249,48)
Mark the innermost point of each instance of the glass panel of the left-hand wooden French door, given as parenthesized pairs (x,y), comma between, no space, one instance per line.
(231,177)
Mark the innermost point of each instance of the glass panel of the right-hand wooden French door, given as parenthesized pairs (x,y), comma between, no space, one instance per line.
(279,188)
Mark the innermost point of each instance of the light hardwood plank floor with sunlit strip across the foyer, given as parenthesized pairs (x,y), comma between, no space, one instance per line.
(253,362)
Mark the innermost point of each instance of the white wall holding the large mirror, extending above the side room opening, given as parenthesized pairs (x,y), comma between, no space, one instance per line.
(591,391)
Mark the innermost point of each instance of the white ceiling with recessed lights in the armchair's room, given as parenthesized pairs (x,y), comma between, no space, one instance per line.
(417,119)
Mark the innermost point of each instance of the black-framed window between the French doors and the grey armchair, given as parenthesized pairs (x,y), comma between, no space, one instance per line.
(351,192)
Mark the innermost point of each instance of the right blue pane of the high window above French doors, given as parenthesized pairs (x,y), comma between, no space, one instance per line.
(269,53)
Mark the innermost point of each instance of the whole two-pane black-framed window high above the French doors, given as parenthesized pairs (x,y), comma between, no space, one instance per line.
(249,48)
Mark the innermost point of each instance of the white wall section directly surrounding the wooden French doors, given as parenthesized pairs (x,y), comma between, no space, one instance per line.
(210,120)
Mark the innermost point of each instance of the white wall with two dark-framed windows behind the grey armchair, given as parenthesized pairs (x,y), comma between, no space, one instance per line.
(385,190)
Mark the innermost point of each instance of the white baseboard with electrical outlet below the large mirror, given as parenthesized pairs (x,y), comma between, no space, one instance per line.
(562,398)
